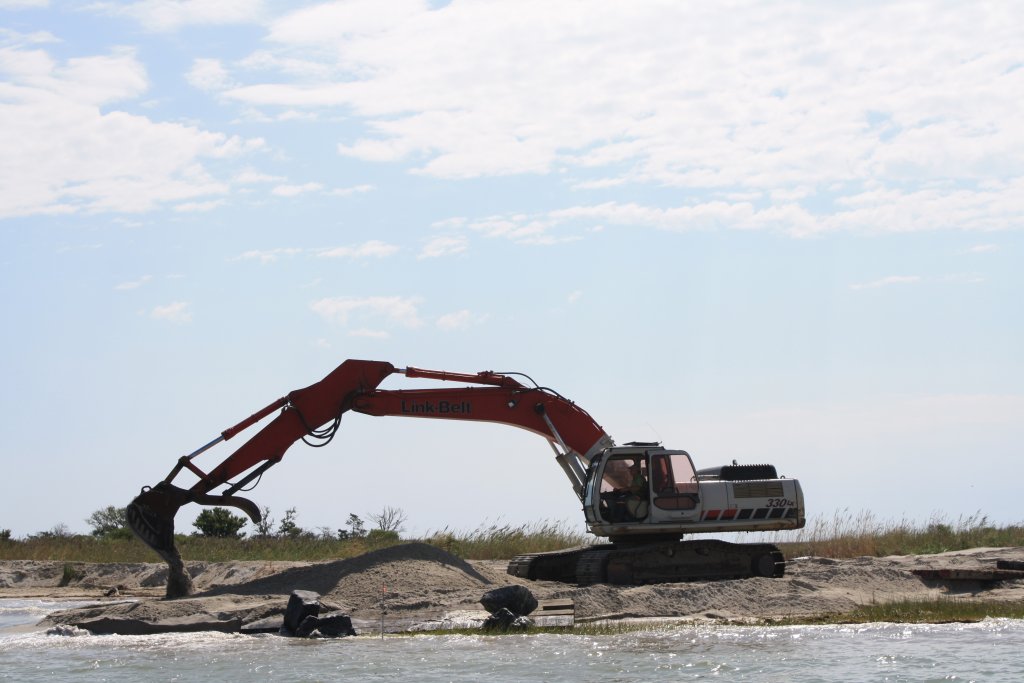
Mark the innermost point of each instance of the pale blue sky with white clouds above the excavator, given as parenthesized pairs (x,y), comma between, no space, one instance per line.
(783,233)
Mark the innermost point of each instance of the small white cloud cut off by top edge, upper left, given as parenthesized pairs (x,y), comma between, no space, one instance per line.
(174,15)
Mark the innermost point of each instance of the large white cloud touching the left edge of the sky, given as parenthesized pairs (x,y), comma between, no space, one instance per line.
(65,145)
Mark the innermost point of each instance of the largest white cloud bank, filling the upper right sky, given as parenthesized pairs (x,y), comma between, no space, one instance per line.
(837,111)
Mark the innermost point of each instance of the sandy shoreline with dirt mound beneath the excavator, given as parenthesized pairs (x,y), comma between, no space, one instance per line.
(423,585)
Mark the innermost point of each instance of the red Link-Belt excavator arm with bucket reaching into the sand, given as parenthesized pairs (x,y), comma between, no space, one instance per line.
(313,414)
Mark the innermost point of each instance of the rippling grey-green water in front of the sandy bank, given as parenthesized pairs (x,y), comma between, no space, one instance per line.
(993,651)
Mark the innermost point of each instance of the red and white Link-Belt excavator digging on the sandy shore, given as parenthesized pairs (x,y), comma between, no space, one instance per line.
(642,497)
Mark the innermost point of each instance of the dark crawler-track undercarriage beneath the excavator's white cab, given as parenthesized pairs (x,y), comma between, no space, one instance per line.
(663,563)
